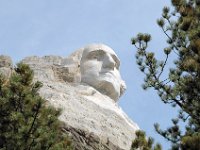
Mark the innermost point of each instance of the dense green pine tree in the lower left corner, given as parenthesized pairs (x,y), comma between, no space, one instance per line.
(26,122)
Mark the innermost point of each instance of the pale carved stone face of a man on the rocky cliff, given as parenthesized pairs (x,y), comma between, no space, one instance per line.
(100,68)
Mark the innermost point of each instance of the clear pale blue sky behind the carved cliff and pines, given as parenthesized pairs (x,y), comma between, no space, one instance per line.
(58,27)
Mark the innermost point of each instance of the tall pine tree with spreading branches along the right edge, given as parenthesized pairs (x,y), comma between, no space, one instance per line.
(181,86)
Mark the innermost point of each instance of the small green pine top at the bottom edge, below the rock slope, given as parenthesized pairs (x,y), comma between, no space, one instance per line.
(142,143)
